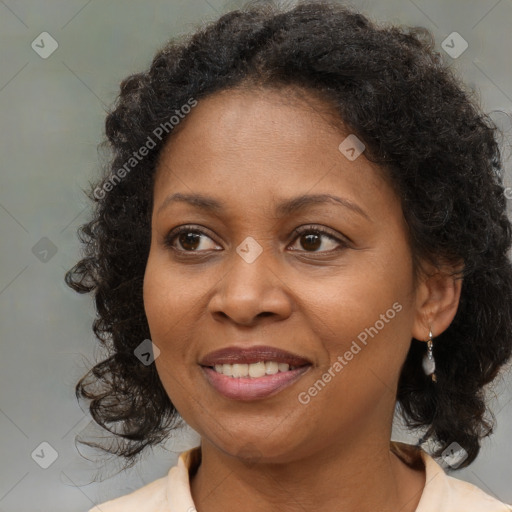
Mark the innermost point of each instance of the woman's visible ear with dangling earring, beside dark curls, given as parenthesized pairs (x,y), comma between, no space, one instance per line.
(437,301)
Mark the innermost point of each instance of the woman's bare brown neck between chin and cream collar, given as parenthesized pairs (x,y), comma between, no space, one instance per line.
(353,477)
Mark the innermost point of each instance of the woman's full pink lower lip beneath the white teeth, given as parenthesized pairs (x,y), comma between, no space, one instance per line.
(247,388)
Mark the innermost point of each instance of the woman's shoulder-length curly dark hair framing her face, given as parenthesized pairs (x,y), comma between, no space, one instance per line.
(417,120)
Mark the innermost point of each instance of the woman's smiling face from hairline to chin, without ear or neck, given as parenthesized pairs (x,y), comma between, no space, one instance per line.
(338,306)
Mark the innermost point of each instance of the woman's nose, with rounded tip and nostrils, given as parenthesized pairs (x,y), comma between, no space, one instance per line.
(252,290)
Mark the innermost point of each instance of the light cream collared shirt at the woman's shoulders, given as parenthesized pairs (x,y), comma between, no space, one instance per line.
(442,493)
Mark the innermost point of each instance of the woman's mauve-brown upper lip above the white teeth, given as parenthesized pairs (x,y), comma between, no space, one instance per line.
(248,355)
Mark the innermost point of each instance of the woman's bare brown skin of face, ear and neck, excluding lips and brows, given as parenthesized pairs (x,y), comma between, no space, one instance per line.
(250,150)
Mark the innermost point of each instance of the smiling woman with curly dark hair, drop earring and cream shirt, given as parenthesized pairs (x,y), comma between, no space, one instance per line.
(302,225)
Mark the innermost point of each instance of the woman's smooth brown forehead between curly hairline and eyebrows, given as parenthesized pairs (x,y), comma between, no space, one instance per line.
(248,144)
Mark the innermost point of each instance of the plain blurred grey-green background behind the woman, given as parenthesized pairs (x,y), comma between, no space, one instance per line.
(52,115)
